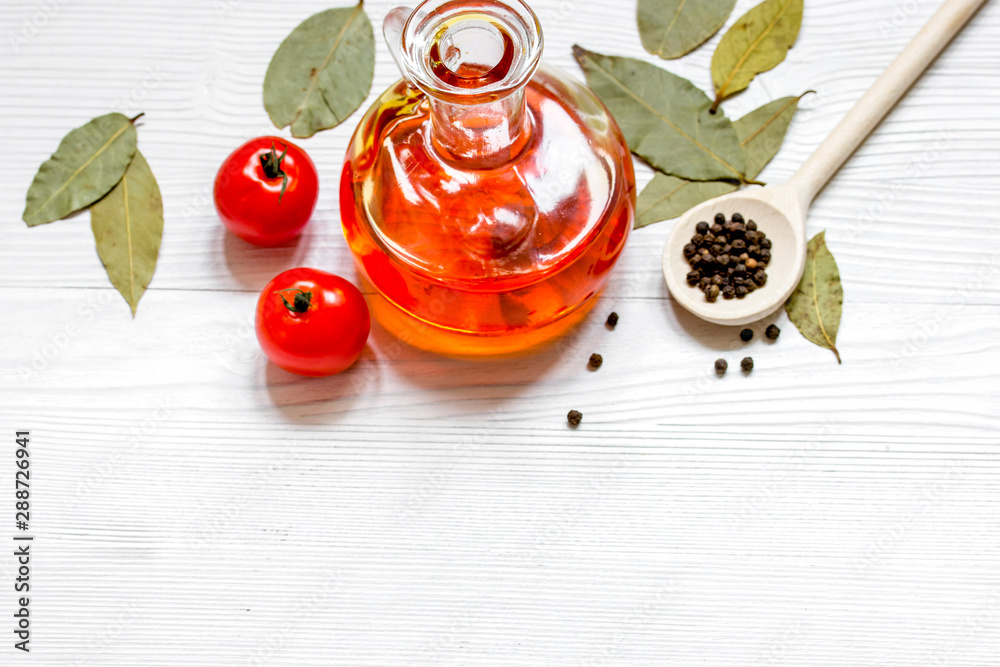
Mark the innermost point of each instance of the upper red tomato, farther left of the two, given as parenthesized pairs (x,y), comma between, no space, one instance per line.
(266,191)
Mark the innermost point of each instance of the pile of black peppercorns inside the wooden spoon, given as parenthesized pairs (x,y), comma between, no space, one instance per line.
(727,258)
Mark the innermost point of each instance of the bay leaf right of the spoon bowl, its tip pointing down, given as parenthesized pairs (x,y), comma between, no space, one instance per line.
(816,304)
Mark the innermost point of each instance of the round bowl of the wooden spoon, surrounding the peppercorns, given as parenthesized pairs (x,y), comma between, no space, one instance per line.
(780,215)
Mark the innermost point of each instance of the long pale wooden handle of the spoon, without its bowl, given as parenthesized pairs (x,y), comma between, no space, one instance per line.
(882,96)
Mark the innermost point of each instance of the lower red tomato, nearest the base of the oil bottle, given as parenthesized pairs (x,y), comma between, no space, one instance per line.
(312,322)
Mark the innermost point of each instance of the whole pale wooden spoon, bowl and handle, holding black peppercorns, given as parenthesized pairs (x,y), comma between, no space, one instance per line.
(780,211)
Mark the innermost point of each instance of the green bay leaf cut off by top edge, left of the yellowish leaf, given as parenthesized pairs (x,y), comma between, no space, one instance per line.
(671,28)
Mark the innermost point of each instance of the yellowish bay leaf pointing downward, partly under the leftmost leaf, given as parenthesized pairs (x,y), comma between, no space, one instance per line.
(128,227)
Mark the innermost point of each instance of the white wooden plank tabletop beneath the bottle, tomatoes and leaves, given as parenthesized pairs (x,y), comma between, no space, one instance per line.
(193,505)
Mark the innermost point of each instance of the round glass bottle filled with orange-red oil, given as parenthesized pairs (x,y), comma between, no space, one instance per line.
(484,196)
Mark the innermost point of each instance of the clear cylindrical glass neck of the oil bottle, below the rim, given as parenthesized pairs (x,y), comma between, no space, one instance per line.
(480,136)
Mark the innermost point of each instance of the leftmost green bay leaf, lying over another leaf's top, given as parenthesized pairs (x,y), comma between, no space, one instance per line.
(89,162)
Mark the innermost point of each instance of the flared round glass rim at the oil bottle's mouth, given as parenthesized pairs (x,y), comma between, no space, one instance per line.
(434,21)
